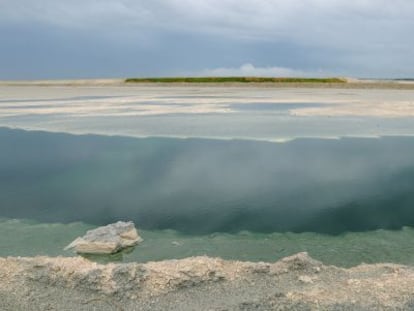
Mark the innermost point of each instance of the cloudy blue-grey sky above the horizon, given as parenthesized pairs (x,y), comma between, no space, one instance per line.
(58,39)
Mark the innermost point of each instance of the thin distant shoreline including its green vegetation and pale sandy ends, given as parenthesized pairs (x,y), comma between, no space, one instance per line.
(345,83)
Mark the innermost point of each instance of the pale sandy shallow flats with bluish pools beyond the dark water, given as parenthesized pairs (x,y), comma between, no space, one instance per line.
(271,114)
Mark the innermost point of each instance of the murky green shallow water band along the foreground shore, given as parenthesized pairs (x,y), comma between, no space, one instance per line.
(28,238)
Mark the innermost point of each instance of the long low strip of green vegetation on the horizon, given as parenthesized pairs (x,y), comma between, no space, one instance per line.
(234,79)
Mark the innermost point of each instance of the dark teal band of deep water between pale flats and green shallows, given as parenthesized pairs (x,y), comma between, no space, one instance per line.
(199,186)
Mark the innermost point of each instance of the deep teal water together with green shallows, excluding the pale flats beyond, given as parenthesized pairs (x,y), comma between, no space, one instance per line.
(345,201)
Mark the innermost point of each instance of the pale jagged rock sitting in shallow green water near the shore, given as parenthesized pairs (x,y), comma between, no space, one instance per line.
(107,239)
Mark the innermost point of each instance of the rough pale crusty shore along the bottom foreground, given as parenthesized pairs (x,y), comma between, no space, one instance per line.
(201,283)
